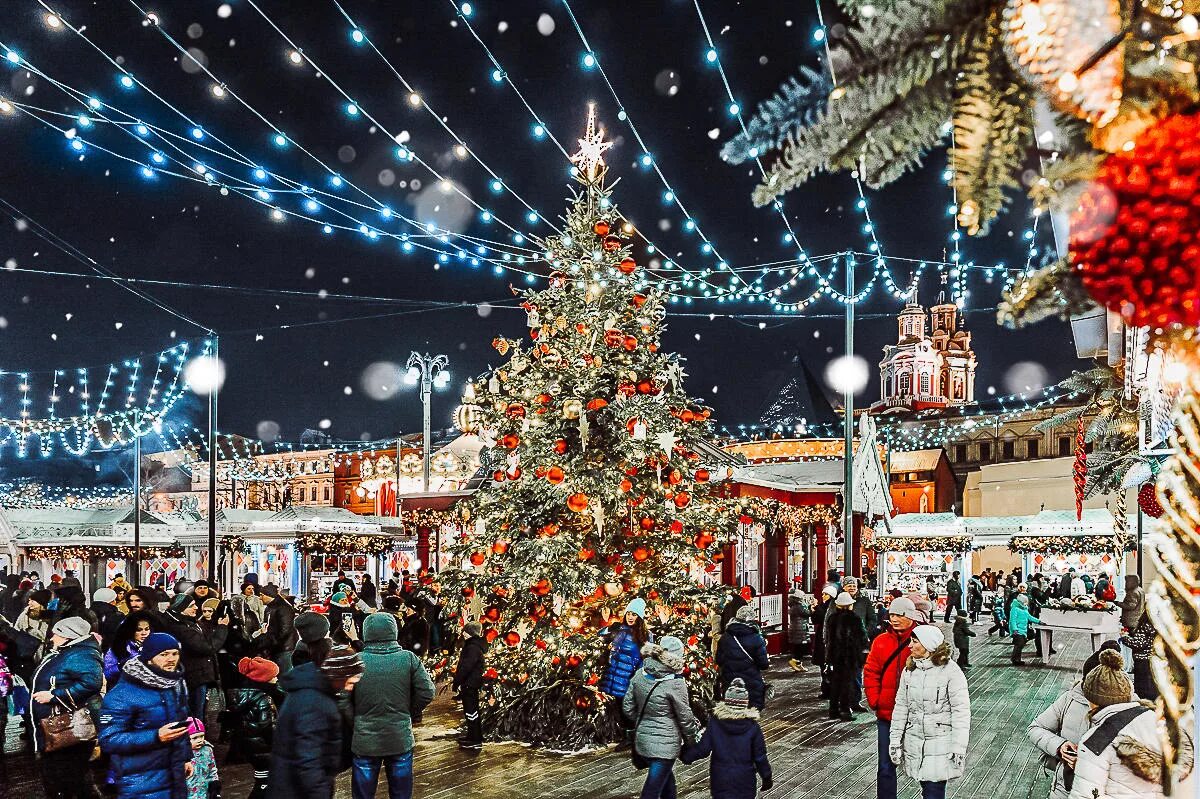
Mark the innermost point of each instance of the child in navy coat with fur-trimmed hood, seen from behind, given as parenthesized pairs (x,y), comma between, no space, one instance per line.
(735,741)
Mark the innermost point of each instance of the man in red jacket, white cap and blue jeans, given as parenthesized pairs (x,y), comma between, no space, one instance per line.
(881,680)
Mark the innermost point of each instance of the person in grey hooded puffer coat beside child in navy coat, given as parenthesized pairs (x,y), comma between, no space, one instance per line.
(657,704)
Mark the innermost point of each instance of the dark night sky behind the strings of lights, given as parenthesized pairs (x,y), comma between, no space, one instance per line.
(175,231)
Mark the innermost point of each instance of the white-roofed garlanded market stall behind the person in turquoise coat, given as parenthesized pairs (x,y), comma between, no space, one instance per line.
(1053,543)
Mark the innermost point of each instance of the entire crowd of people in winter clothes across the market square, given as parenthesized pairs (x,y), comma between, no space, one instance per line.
(130,678)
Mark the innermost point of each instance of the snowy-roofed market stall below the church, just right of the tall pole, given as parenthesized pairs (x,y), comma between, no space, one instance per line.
(922,548)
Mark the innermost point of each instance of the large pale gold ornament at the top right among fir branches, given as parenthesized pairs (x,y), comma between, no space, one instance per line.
(1047,41)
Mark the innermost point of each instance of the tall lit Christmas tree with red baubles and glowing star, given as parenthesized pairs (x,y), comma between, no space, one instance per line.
(598,494)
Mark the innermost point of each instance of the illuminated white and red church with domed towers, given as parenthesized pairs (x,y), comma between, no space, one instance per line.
(923,370)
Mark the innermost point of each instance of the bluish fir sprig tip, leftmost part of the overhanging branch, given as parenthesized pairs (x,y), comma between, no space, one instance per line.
(799,104)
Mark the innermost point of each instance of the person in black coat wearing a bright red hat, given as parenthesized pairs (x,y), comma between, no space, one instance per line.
(250,718)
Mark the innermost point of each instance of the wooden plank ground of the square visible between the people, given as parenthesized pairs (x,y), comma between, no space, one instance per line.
(813,756)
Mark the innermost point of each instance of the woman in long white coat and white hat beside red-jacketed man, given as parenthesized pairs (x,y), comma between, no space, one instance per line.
(932,723)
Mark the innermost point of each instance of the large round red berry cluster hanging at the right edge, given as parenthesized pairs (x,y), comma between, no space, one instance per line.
(1136,236)
